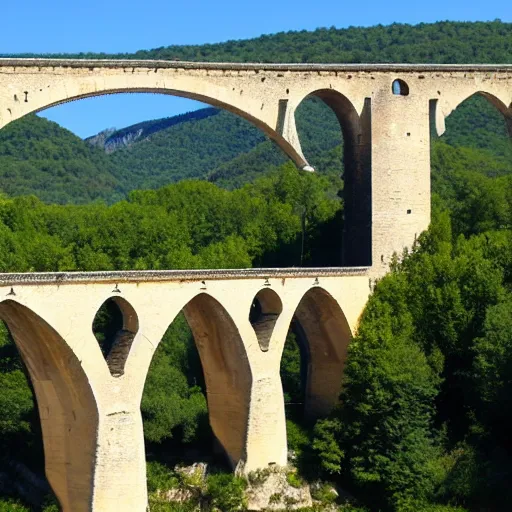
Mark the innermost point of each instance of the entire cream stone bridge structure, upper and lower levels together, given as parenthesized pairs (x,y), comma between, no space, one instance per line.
(90,405)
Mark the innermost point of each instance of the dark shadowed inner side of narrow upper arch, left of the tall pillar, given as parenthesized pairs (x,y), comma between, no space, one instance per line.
(356,131)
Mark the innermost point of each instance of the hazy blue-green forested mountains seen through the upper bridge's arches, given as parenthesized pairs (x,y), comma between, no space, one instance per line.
(39,157)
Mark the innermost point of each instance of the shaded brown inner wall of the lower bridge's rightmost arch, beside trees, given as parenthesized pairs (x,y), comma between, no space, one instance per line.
(323,334)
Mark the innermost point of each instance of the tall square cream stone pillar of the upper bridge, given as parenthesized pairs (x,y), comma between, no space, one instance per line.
(400,174)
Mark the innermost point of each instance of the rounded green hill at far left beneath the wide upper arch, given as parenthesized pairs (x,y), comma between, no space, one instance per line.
(39,157)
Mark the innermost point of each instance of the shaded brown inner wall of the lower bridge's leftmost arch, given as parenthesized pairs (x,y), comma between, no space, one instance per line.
(66,404)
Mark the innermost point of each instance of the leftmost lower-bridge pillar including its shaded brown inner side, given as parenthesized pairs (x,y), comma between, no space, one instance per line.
(90,420)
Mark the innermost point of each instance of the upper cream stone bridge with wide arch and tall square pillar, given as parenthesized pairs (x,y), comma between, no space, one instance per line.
(385,113)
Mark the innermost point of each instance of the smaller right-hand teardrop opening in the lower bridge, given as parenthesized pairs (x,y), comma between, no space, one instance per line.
(265,310)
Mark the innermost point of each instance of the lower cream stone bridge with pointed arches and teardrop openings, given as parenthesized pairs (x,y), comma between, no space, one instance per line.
(90,406)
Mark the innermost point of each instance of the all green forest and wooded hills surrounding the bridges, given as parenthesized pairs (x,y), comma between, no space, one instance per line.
(425,416)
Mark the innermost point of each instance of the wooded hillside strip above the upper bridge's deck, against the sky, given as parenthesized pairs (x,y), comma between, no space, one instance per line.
(443,42)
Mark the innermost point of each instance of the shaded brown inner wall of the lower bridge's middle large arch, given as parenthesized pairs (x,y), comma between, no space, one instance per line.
(226,371)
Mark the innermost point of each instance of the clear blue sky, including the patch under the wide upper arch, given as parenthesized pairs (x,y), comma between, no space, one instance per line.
(49,26)
